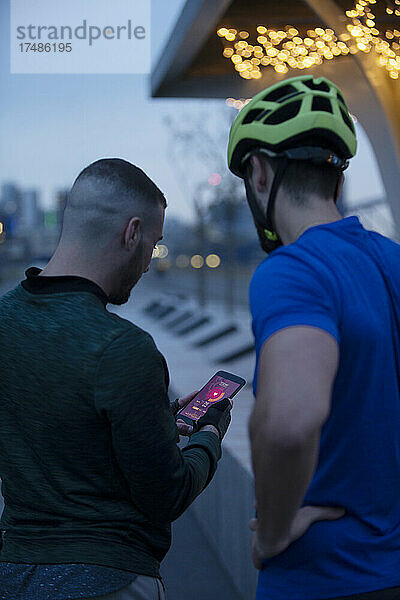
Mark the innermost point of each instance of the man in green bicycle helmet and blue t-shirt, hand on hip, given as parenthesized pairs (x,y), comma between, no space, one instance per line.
(326,322)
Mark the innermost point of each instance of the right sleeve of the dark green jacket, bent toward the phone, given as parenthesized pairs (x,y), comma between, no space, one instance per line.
(131,393)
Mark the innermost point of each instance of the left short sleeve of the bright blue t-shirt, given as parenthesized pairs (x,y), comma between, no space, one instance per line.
(287,290)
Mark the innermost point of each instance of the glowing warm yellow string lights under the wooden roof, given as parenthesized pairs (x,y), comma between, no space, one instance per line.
(287,49)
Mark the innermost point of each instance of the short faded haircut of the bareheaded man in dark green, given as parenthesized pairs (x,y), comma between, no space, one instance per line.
(103,198)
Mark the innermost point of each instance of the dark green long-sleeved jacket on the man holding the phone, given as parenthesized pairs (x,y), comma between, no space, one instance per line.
(90,467)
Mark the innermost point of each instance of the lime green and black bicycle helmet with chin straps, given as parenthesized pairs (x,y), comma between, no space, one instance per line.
(300,118)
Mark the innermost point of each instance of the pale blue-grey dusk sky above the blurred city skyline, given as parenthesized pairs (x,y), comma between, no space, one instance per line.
(52,126)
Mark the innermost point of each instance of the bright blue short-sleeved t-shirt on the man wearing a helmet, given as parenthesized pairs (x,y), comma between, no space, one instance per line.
(345,280)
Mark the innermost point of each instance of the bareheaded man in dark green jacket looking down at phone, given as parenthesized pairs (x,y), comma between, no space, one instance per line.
(92,476)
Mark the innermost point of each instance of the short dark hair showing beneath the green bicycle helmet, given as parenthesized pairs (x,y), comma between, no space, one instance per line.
(303,178)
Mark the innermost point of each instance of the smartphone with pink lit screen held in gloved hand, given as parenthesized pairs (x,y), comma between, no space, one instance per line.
(221,385)
